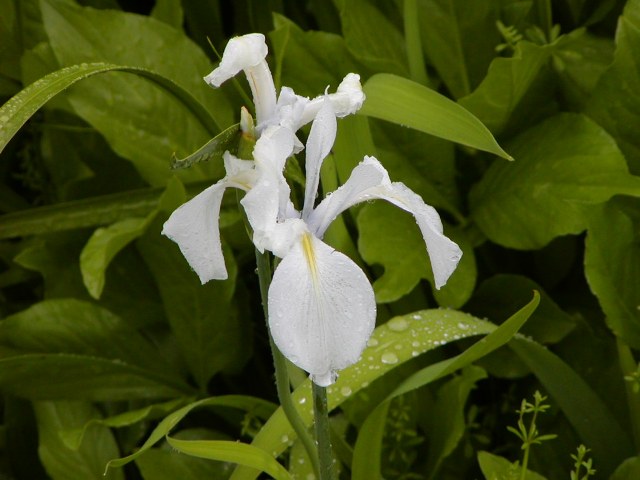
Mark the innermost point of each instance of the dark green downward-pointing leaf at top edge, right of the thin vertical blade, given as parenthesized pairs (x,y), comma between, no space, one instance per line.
(459,38)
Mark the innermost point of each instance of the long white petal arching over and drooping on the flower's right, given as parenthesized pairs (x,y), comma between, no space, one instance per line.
(369,180)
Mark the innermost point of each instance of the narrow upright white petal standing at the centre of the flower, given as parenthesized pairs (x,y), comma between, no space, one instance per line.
(321,138)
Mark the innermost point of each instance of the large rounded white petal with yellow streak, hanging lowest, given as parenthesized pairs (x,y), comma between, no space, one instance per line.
(321,309)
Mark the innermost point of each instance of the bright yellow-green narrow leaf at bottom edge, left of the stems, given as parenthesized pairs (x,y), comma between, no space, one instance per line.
(227,451)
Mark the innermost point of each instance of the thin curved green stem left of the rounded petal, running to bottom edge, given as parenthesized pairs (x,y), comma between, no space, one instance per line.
(280,366)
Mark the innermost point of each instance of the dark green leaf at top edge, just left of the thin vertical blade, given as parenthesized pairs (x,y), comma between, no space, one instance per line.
(372,38)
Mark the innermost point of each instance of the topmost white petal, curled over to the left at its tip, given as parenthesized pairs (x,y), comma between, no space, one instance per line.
(248,53)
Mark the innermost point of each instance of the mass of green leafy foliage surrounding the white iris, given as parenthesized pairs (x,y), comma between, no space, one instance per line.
(111,349)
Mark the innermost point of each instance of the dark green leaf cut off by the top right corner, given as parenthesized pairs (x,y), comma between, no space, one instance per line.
(615,102)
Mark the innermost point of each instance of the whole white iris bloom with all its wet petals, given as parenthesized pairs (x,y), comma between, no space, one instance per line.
(321,305)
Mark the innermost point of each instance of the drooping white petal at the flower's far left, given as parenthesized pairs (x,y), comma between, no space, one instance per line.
(194,227)
